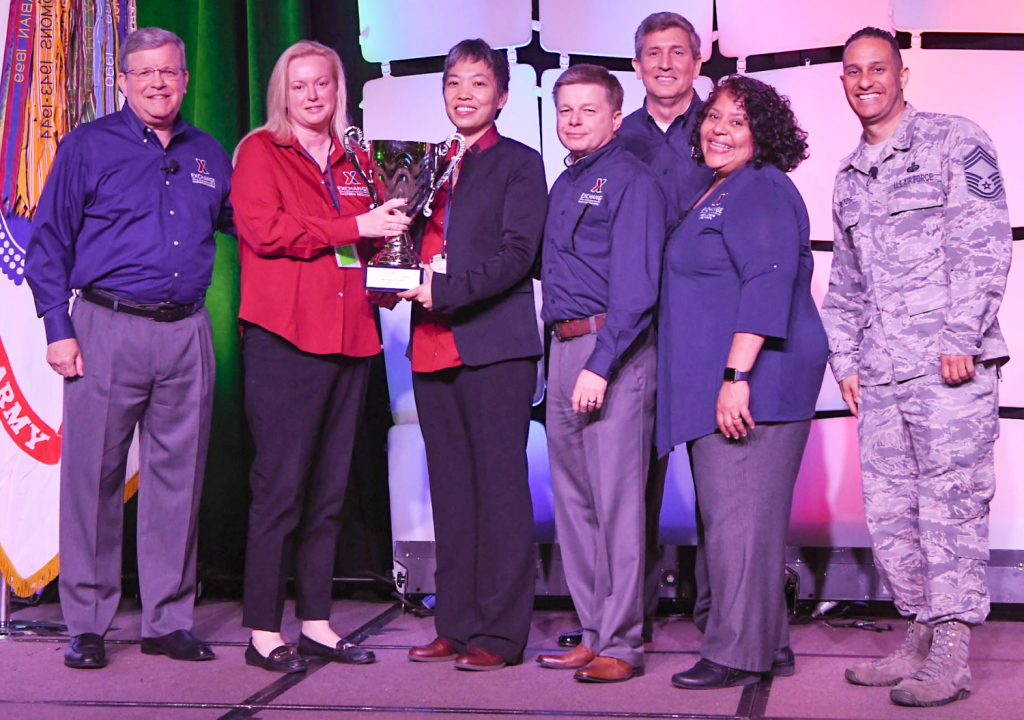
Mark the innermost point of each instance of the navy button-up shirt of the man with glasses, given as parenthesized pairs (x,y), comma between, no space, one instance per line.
(122,214)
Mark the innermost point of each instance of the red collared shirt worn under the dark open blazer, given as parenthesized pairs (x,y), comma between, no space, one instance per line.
(434,343)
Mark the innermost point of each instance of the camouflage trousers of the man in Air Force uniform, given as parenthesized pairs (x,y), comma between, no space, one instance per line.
(929,475)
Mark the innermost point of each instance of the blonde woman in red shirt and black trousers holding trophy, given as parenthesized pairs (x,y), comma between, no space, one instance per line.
(309,333)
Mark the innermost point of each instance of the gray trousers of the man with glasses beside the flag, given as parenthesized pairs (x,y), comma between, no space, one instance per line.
(161,376)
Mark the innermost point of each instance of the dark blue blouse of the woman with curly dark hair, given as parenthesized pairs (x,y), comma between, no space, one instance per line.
(740,263)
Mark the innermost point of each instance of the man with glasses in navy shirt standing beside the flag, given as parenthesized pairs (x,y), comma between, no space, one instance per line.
(129,218)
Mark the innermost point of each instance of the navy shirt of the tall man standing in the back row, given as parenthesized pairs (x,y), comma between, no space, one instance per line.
(670,155)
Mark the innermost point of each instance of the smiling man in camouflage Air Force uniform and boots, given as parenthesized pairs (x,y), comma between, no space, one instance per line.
(922,251)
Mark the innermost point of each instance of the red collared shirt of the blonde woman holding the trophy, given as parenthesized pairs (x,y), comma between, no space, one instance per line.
(290,224)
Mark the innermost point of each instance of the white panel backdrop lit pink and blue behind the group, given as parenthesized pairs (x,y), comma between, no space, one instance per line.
(828,507)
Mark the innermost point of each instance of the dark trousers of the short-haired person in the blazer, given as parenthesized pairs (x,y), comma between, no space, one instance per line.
(476,423)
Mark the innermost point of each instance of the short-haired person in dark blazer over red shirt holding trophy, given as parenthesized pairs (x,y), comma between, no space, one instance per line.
(475,351)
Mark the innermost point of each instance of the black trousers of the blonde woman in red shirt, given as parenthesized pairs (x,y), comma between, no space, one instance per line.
(304,411)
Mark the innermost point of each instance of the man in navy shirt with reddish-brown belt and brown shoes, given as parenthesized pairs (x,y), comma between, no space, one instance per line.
(602,261)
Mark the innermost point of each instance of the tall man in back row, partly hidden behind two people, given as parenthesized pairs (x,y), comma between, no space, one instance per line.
(668,61)
